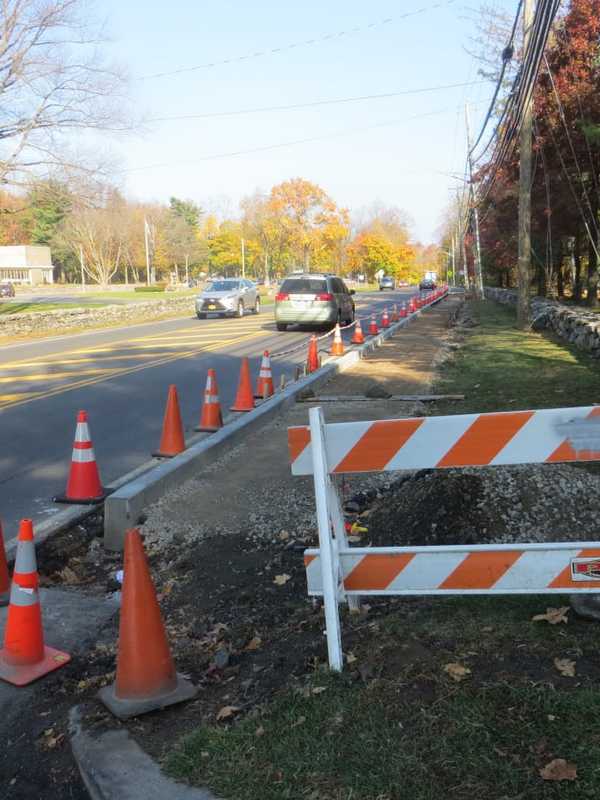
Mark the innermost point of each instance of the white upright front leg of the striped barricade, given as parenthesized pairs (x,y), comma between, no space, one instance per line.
(329,557)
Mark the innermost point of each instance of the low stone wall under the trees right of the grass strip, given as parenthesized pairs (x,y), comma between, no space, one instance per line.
(574,324)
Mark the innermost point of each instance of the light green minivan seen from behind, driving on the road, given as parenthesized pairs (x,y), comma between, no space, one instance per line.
(313,299)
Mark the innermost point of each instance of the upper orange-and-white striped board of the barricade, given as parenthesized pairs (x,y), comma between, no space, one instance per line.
(511,437)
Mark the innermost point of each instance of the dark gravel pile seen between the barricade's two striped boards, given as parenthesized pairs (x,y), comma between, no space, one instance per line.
(530,503)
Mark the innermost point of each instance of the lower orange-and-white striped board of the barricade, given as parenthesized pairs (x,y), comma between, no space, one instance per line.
(485,569)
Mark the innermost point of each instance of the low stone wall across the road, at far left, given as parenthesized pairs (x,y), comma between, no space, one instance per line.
(78,317)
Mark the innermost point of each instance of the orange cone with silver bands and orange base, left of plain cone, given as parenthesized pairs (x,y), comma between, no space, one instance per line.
(24,657)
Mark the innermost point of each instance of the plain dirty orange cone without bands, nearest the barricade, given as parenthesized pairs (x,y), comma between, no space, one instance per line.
(146,679)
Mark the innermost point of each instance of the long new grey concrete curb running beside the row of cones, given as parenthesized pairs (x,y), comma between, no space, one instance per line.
(122,509)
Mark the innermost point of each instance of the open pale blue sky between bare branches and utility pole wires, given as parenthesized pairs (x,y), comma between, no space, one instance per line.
(395,156)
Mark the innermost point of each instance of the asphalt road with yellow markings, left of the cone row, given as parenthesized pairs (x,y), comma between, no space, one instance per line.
(120,377)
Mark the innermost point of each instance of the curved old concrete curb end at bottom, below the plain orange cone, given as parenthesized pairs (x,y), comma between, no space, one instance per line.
(114,767)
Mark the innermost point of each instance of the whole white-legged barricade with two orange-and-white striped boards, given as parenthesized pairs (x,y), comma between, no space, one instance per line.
(339,572)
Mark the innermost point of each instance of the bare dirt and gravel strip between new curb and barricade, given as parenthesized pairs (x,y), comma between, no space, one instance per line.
(226,554)
